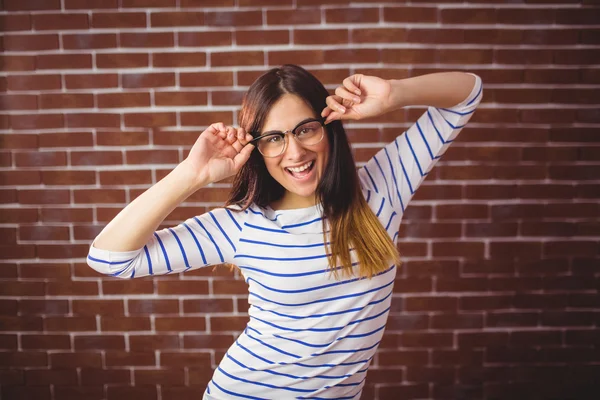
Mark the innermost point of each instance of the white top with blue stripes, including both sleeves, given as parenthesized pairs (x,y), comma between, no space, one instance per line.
(308,335)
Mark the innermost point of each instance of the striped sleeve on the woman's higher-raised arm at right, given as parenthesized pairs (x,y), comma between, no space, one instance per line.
(398,169)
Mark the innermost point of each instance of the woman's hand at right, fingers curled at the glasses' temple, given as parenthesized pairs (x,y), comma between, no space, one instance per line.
(359,97)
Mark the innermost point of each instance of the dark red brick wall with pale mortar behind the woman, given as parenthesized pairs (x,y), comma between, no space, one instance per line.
(498,297)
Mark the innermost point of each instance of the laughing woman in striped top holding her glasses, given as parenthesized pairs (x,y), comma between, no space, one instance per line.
(313,237)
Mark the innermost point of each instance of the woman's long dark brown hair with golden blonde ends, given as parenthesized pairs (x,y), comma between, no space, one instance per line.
(351,221)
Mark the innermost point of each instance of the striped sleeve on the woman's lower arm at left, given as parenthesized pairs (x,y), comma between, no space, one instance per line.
(200,241)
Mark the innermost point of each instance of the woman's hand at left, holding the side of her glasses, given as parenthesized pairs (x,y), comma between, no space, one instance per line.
(219,152)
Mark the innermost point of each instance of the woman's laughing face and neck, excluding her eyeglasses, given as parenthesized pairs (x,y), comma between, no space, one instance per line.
(301,184)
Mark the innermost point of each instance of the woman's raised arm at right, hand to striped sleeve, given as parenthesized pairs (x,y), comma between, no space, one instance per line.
(400,167)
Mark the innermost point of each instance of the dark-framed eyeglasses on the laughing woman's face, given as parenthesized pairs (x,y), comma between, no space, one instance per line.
(272,144)
